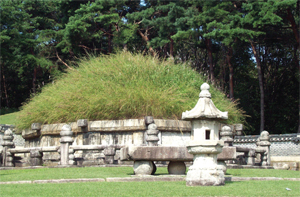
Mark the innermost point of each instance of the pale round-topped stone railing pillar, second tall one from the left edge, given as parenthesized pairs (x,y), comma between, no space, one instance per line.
(65,141)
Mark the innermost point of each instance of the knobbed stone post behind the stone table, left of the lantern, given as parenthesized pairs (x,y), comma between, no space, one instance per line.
(152,132)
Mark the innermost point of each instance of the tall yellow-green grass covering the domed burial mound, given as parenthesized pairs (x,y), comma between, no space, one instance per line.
(121,86)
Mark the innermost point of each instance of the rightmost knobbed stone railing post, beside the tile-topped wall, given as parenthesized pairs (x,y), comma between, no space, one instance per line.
(264,144)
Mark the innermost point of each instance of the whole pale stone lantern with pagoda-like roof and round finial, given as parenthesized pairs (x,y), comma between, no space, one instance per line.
(205,143)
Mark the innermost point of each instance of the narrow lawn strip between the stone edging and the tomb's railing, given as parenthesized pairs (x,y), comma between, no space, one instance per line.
(105,172)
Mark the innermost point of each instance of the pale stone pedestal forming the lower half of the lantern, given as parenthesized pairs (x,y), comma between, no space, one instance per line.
(205,171)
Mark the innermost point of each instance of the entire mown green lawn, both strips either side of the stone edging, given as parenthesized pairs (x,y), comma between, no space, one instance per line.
(177,188)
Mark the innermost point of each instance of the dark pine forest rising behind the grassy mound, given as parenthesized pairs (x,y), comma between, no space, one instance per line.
(248,49)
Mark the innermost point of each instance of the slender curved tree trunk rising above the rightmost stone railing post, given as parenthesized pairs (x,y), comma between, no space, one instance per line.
(261,87)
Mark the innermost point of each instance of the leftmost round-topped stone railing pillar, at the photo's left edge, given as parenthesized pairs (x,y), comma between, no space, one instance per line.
(8,143)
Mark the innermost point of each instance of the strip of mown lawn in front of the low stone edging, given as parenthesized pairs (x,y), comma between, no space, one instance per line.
(132,189)
